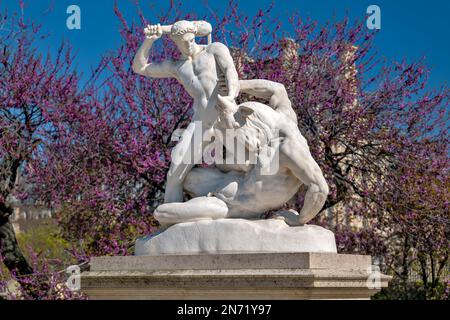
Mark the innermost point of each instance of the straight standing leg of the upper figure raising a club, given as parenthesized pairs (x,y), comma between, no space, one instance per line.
(185,155)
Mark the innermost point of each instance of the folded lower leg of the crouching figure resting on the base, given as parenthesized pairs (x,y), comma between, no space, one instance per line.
(201,208)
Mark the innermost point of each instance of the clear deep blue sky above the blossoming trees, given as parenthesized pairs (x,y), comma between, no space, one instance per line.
(410,28)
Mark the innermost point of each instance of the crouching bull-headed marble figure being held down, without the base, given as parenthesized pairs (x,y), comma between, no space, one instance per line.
(219,193)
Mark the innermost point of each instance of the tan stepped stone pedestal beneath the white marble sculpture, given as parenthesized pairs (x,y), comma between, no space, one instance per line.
(233,276)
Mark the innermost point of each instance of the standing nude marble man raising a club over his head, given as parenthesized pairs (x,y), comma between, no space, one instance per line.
(198,71)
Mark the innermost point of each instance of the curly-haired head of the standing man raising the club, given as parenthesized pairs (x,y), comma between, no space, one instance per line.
(183,34)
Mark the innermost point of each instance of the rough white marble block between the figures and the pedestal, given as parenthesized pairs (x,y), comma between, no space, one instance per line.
(237,236)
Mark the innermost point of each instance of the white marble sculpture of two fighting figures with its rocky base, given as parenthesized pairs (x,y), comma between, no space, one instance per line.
(265,173)
